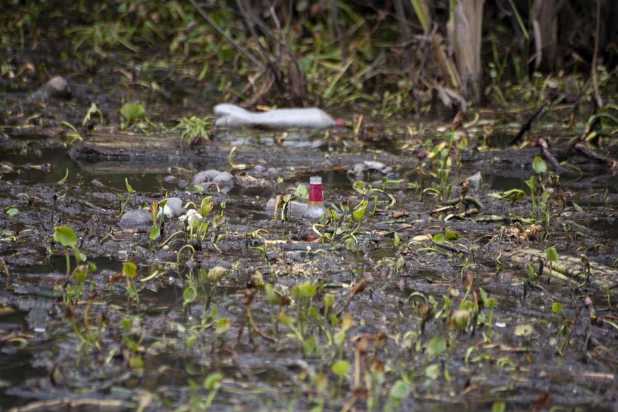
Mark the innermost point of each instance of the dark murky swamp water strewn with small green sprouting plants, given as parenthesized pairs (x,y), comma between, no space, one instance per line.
(419,334)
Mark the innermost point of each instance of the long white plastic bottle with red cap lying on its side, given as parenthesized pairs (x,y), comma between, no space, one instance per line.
(230,115)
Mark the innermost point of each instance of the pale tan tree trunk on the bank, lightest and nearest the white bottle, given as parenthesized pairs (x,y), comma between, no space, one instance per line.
(468,27)
